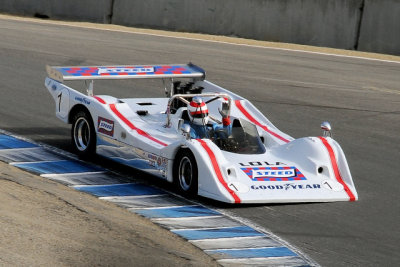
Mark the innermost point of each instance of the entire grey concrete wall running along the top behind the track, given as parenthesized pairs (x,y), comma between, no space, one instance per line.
(367,25)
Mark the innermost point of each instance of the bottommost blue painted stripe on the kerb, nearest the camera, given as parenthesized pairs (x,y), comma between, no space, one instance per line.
(252,253)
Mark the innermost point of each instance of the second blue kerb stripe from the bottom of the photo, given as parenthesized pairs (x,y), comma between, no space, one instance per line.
(239,231)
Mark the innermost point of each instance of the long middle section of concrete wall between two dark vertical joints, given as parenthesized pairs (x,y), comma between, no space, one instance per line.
(316,22)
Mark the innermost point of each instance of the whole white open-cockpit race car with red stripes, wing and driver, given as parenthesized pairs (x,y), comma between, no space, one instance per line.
(203,138)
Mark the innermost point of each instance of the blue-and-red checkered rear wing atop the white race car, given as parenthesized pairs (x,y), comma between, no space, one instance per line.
(125,72)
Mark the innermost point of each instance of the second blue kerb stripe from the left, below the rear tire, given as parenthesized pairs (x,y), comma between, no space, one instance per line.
(58,167)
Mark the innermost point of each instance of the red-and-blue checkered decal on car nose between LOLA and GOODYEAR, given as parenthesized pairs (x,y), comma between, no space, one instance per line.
(276,173)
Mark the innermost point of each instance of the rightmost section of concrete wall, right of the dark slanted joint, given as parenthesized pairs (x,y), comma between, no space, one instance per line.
(380,27)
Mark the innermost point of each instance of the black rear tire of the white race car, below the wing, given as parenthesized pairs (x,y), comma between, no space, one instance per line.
(83,134)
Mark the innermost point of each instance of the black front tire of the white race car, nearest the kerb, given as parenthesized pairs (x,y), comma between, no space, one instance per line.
(186,173)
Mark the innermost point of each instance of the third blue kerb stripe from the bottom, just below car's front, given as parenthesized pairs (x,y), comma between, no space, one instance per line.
(177,212)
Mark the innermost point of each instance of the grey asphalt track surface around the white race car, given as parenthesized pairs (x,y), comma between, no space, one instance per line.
(296,90)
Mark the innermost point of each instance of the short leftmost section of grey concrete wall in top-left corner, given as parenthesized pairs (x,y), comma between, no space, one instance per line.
(83,10)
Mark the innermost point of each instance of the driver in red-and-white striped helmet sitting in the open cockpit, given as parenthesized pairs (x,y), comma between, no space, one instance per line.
(199,118)
